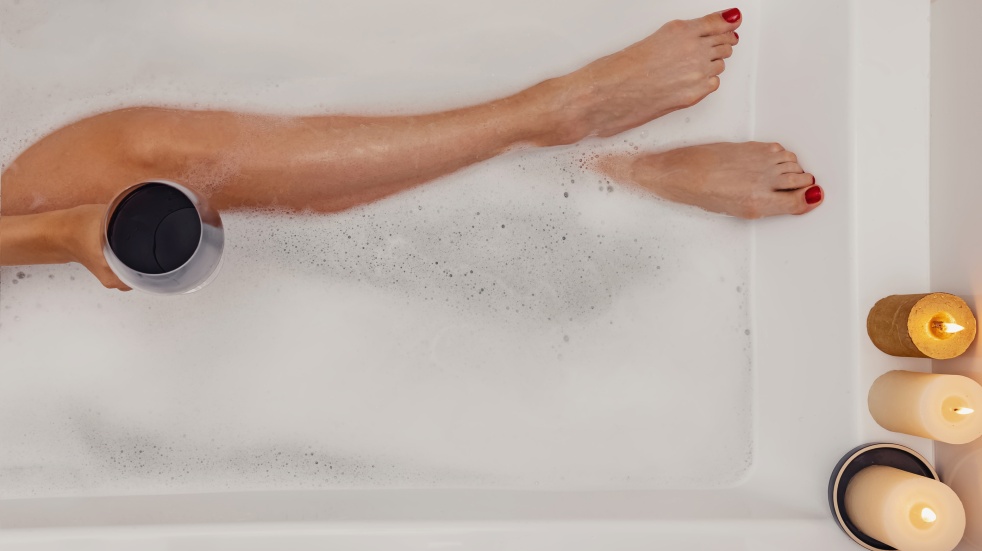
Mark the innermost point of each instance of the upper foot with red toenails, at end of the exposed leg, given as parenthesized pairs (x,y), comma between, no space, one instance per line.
(674,68)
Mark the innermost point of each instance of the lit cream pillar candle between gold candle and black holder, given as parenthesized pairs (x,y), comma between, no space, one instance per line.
(947,408)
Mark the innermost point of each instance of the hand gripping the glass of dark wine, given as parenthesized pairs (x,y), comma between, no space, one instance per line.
(80,231)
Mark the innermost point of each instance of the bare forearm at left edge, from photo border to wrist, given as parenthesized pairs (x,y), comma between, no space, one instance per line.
(33,239)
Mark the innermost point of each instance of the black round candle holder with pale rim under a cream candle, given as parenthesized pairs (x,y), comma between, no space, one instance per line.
(868,455)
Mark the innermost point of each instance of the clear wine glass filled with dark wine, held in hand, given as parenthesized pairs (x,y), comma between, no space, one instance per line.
(163,238)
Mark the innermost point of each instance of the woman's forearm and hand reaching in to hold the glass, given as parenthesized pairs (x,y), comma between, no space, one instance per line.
(58,237)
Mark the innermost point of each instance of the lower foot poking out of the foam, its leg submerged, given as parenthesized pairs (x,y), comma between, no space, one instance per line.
(747,180)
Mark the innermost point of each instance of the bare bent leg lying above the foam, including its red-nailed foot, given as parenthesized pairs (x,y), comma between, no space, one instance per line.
(329,163)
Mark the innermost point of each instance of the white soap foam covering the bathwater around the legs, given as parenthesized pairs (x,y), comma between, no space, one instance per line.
(523,323)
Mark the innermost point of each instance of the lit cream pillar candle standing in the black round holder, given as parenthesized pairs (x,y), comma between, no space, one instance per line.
(905,510)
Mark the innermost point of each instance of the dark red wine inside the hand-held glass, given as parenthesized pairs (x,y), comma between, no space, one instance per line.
(155,229)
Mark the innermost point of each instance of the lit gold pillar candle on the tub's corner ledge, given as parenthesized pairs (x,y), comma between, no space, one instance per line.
(935,325)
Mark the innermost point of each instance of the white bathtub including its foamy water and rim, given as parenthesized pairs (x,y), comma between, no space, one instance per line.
(482,362)
